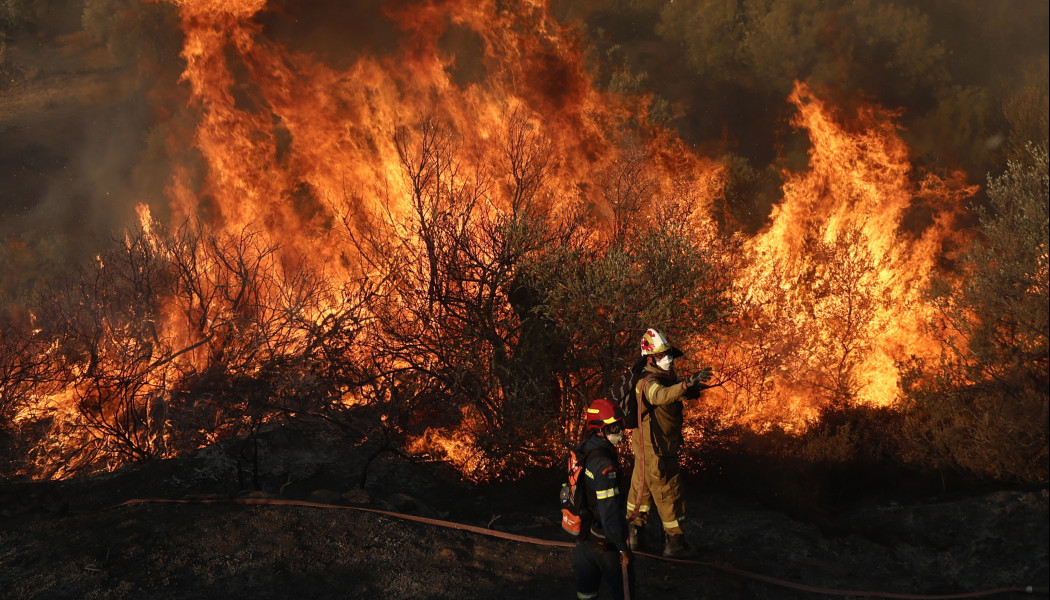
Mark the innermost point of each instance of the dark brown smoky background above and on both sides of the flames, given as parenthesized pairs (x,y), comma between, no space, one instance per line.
(86,137)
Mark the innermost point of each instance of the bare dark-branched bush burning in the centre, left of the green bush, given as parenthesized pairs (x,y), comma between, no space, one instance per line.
(447,337)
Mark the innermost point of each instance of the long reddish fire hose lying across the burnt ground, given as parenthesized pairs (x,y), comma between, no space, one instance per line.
(539,542)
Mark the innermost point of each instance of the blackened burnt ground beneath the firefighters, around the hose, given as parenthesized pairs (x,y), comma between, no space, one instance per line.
(68,541)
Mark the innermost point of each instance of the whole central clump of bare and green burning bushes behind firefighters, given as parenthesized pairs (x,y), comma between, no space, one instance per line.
(496,326)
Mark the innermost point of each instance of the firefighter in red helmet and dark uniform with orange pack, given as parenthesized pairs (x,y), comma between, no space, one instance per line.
(602,553)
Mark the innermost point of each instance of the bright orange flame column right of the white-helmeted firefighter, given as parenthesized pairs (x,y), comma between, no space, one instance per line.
(834,285)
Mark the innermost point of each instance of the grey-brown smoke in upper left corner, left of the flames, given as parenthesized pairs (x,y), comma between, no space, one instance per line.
(91,84)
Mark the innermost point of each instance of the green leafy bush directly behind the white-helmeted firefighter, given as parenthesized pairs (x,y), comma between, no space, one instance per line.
(602,300)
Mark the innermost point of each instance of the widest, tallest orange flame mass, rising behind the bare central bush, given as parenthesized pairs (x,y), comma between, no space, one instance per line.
(297,147)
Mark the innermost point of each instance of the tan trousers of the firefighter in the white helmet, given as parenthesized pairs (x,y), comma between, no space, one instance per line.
(656,482)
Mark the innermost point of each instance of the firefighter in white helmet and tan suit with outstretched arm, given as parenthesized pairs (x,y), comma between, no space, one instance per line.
(656,481)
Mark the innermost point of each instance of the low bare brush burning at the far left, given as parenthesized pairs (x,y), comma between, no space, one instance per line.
(170,342)
